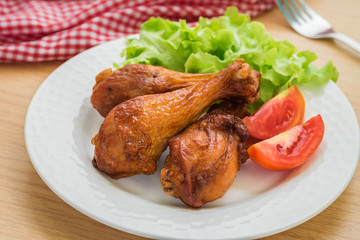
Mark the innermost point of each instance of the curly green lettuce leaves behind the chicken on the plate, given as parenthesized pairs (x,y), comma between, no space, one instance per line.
(215,43)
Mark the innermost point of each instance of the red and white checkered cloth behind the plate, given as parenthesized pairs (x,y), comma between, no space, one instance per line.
(38,30)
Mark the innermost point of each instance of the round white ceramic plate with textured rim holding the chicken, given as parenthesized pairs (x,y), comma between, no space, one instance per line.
(61,122)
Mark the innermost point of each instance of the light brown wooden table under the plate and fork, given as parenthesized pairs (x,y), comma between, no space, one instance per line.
(30,210)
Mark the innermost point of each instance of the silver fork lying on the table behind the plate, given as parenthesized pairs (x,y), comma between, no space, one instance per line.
(304,20)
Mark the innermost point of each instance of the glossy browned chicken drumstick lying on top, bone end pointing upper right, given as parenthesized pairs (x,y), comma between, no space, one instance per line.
(136,132)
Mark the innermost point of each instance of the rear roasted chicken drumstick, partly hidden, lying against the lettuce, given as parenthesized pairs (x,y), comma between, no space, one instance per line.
(113,88)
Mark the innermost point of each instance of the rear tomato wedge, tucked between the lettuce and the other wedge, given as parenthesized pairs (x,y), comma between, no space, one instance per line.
(279,114)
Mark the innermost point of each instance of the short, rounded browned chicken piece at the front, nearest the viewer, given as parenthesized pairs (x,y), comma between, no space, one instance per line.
(205,158)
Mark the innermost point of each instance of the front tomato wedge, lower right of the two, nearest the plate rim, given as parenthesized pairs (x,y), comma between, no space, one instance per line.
(290,148)
